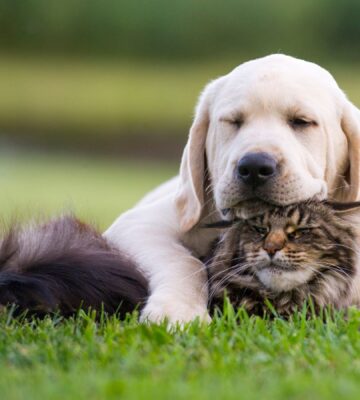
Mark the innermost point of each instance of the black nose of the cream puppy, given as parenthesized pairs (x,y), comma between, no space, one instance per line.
(256,168)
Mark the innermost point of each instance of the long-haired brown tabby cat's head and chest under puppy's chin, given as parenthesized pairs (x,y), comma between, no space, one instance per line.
(288,255)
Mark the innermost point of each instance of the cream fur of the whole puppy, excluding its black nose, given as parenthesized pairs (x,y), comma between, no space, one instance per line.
(247,110)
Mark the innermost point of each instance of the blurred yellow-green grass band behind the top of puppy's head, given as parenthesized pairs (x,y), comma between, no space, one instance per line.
(61,96)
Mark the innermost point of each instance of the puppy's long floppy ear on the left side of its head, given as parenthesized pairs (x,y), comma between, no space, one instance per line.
(189,199)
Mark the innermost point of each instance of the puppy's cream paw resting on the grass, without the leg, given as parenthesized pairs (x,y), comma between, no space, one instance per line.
(173,310)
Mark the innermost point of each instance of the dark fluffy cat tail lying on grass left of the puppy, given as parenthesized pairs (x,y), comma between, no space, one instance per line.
(64,265)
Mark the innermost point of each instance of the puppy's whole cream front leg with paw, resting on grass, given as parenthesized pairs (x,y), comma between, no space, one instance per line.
(178,280)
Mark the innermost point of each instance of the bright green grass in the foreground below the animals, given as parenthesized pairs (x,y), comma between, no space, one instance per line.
(236,357)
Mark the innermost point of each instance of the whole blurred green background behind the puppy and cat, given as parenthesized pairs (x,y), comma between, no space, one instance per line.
(96,97)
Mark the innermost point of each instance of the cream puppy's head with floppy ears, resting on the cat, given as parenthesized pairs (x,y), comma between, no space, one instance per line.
(277,129)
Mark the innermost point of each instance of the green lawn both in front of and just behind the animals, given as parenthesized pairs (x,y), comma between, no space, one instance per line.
(236,357)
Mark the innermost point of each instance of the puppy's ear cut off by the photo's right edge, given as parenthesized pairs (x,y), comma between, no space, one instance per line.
(350,124)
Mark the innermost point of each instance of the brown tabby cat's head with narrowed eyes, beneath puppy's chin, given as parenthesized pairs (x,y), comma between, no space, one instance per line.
(286,247)
